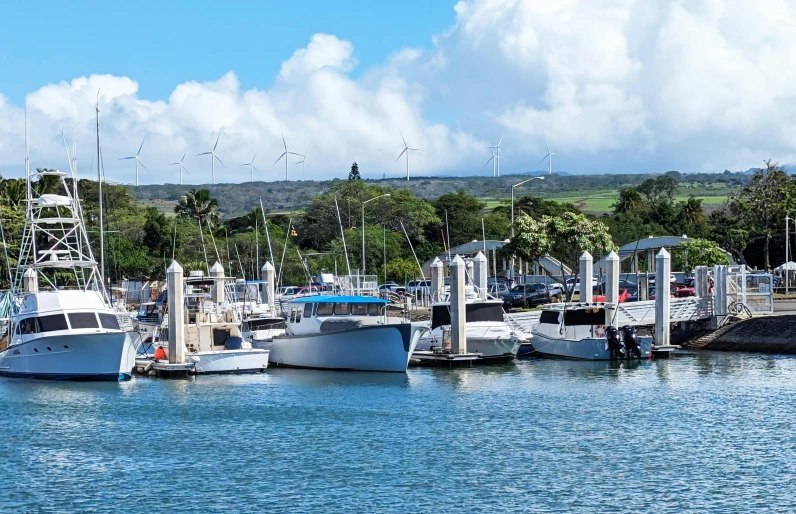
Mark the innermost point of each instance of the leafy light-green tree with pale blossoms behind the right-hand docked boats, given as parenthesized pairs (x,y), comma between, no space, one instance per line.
(564,237)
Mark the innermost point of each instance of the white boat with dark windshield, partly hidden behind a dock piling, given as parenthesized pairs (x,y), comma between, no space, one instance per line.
(486,330)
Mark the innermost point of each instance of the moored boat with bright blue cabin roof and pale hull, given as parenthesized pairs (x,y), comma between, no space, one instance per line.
(351,333)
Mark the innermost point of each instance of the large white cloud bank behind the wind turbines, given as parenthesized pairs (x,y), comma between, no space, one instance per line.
(644,85)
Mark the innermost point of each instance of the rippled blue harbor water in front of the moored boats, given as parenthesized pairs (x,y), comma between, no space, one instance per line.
(702,432)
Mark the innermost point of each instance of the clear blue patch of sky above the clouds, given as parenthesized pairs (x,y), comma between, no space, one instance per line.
(162,44)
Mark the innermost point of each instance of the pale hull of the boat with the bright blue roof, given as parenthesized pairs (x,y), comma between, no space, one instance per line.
(370,348)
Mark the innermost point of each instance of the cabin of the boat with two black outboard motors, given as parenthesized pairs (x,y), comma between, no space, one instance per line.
(572,321)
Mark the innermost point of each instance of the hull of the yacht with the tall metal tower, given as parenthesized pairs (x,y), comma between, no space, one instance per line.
(100,356)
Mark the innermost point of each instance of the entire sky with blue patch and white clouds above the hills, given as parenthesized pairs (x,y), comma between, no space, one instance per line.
(610,85)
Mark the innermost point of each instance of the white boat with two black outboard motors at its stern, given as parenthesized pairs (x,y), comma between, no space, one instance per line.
(579,331)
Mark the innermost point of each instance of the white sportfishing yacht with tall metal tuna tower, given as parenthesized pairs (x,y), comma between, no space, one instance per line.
(64,326)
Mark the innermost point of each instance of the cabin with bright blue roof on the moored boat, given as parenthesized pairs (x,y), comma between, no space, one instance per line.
(314,314)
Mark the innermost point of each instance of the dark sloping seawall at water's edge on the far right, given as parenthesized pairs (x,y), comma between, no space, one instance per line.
(769,334)
